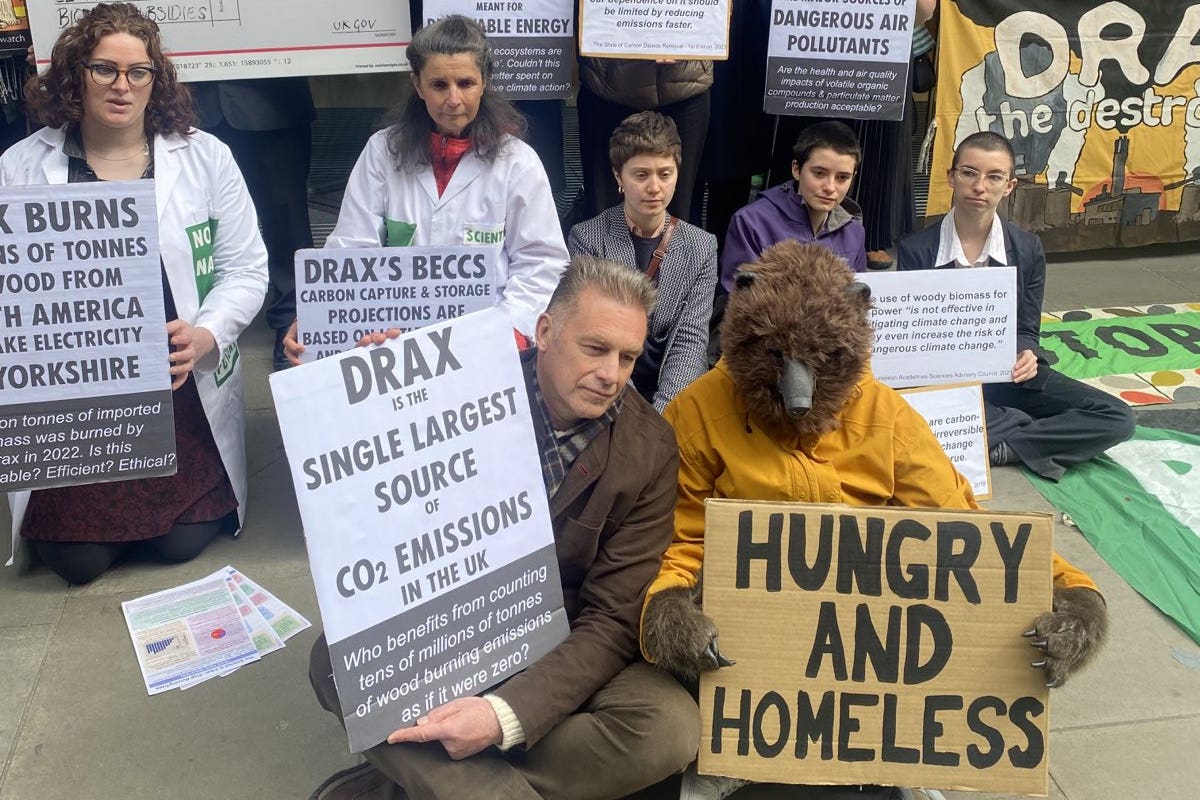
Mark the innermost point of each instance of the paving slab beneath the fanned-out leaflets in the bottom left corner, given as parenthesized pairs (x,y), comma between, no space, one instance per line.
(257,733)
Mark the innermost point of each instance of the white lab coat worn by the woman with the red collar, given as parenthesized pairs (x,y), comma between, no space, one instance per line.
(509,197)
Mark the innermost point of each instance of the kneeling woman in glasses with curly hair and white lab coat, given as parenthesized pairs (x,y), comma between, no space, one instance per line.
(116,112)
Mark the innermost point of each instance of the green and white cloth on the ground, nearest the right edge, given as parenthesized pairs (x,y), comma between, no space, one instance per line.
(1139,507)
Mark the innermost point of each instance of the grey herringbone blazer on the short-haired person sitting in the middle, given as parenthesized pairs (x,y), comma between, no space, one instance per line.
(687,281)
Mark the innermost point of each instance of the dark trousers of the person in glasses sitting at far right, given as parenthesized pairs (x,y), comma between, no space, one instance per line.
(1064,423)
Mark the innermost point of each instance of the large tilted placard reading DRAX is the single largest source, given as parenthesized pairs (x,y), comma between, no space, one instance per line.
(425,516)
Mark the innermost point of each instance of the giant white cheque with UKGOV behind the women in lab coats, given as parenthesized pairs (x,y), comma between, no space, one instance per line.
(218,40)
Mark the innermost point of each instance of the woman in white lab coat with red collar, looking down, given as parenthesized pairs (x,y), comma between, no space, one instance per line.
(452,171)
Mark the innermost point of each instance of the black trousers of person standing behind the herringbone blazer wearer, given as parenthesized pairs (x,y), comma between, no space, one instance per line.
(599,117)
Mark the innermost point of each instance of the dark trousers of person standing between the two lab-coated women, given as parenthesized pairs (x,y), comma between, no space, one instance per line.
(275,165)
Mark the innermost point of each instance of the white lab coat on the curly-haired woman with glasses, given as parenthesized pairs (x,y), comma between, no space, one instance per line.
(196,181)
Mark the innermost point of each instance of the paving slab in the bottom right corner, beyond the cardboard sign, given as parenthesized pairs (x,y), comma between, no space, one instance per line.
(1150,761)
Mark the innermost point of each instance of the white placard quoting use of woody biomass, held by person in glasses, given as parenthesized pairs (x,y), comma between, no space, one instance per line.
(944,327)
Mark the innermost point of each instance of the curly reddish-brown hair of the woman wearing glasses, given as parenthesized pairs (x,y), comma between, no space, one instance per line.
(56,98)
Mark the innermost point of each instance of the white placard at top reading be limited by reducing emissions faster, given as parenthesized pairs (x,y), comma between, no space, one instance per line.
(656,29)
